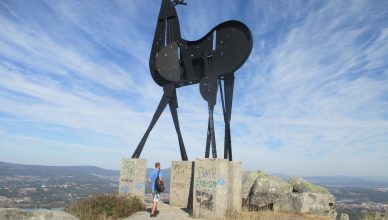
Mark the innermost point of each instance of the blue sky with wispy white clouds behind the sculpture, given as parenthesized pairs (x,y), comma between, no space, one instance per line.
(312,99)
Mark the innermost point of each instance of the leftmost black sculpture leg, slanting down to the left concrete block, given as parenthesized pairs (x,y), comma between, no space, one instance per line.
(162,105)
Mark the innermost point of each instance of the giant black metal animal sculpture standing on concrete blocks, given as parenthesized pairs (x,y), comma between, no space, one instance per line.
(175,62)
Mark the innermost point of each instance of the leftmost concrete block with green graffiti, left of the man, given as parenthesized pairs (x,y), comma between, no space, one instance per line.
(132,177)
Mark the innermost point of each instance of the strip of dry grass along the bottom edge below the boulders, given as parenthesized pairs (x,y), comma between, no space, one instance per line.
(271,215)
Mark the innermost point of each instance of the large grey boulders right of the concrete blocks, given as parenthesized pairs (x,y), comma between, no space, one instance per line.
(261,191)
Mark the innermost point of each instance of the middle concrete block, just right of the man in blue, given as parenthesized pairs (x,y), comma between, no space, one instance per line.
(181,184)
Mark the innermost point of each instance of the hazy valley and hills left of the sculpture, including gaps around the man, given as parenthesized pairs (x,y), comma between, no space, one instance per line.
(36,186)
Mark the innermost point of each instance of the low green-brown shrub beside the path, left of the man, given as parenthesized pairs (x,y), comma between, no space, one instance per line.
(106,207)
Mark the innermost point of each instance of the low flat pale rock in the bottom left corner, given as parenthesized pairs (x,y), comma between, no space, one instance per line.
(20,214)
